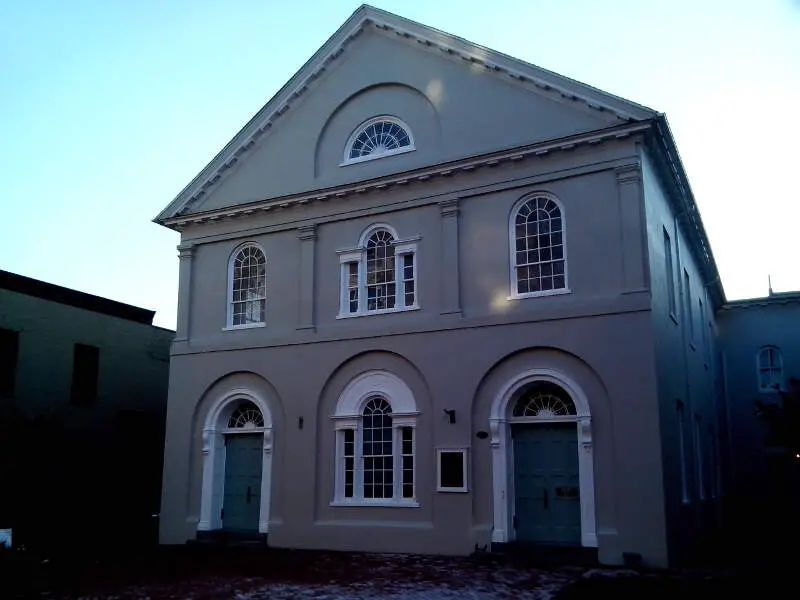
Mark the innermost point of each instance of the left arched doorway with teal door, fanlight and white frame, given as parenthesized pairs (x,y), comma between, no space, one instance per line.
(237,465)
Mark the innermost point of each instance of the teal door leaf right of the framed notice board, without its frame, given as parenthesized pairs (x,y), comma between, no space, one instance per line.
(546,487)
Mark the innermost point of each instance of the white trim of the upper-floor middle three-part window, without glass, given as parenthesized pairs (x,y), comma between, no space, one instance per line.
(358,255)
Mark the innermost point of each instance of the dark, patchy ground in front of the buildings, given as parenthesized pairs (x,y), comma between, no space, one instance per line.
(263,574)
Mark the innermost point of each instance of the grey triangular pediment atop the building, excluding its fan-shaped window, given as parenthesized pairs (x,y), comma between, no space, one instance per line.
(457,98)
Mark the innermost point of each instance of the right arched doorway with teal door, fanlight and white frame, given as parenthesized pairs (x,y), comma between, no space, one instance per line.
(542,461)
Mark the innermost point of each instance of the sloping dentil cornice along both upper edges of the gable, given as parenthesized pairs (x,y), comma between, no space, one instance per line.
(259,127)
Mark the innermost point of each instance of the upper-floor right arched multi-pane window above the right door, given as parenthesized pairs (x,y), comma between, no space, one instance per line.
(538,253)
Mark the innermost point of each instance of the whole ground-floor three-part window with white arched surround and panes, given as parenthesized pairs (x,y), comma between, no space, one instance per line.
(356,459)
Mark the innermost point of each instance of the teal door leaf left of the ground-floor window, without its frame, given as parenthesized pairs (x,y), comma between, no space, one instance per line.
(242,499)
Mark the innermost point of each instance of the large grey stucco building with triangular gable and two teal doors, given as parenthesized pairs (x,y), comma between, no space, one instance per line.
(441,301)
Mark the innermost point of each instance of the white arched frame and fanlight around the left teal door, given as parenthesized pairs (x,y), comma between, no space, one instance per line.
(233,412)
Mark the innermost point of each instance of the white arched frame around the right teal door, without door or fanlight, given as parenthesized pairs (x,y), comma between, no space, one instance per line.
(500,421)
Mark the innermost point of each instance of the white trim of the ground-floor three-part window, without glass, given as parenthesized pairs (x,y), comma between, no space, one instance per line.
(349,413)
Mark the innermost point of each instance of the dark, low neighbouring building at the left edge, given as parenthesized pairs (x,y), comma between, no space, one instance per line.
(83,393)
